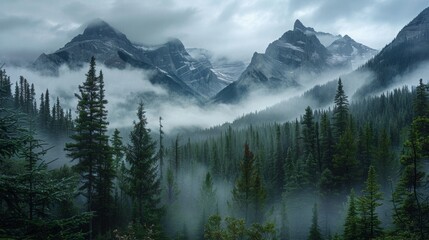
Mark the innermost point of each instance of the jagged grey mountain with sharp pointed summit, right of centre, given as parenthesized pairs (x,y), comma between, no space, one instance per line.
(295,53)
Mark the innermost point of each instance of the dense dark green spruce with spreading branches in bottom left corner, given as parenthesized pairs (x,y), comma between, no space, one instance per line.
(32,194)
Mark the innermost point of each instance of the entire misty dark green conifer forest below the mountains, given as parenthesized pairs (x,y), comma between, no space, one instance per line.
(356,170)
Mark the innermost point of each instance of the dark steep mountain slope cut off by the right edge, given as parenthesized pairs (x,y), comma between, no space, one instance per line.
(406,53)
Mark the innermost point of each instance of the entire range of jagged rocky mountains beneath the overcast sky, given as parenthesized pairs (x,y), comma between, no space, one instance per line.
(196,74)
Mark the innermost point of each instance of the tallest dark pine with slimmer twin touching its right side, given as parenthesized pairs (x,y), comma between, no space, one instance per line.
(90,147)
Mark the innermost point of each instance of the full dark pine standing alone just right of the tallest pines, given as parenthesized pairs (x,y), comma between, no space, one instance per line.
(142,177)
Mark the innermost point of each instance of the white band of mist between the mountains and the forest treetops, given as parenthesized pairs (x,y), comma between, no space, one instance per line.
(125,88)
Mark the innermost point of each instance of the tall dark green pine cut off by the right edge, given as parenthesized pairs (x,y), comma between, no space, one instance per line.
(411,213)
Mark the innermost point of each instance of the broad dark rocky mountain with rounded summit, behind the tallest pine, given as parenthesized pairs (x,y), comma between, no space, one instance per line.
(173,67)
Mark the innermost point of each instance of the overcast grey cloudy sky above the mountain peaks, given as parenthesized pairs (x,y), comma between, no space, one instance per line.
(235,28)
